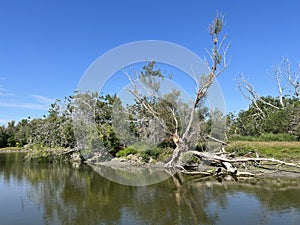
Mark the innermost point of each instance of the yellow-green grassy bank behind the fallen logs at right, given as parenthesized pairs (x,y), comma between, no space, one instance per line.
(289,151)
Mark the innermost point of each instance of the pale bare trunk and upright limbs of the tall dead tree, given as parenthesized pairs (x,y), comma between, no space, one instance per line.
(217,65)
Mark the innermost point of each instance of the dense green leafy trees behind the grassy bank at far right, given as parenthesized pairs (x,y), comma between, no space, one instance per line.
(277,121)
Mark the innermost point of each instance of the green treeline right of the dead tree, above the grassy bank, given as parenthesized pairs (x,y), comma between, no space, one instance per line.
(266,119)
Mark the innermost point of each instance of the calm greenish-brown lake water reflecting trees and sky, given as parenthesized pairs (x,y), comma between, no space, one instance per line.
(65,194)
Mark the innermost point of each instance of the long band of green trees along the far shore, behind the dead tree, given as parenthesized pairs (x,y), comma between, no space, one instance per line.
(263,120)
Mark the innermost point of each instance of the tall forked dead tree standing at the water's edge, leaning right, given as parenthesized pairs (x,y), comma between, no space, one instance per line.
(184,132)
